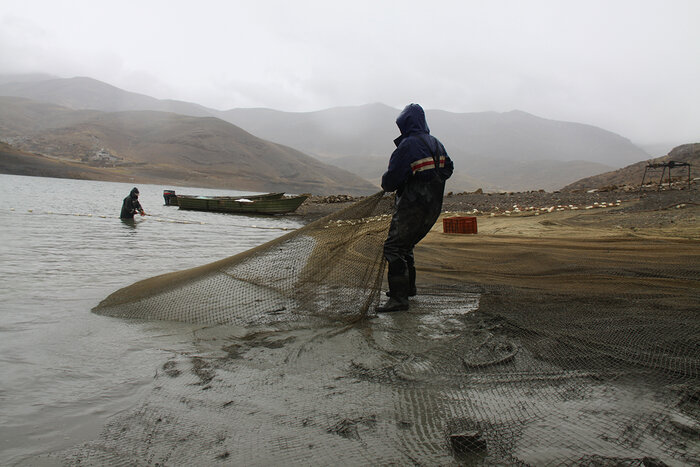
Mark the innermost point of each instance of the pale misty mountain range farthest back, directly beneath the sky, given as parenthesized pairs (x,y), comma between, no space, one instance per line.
(495,151)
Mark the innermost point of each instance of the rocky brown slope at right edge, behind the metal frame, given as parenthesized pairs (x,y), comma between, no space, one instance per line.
(632,174)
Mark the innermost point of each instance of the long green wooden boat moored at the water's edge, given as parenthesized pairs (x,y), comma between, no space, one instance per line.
(270,203)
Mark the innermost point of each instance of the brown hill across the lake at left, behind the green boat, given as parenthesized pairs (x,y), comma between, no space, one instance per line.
(159,147)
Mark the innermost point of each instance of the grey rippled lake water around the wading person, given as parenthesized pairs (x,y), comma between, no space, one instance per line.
(63,249)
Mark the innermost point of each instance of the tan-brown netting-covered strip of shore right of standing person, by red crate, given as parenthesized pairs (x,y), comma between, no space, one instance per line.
(558,250)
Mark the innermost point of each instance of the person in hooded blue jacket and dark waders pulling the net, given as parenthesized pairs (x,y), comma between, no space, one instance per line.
(417,172)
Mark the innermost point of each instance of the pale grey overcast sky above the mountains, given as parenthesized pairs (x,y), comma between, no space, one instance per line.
(632,67)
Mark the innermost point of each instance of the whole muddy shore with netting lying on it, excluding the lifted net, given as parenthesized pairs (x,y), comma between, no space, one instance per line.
(550,337)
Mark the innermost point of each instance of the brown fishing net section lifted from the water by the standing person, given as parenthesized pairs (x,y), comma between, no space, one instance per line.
(330,269)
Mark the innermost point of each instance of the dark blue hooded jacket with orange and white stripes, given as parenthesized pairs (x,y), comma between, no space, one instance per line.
(416,153)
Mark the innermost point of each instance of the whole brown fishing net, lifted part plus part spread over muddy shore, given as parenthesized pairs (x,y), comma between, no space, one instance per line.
(589,357)
